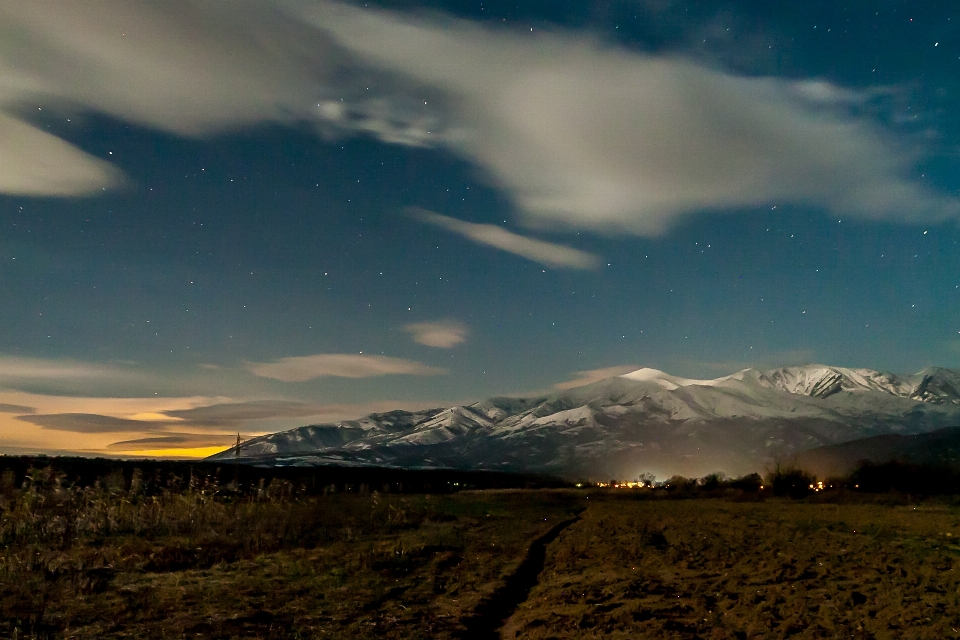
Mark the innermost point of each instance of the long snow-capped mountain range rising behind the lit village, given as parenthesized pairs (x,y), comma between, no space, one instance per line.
(646,421)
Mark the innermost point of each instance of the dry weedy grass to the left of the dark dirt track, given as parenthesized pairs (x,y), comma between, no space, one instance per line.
(109,561)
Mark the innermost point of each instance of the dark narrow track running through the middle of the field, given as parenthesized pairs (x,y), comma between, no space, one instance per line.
(493,611)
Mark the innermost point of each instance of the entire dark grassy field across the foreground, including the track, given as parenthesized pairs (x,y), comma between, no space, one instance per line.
(124,558)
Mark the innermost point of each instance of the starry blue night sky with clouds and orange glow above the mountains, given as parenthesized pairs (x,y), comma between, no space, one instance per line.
(223,217)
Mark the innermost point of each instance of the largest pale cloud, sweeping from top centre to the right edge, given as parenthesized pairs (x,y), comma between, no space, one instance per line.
(584,134)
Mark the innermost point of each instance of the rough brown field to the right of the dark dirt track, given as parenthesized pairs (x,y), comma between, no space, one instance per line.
(771,569)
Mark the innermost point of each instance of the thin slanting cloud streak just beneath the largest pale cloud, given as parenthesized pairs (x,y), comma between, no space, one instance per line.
(546,253)
